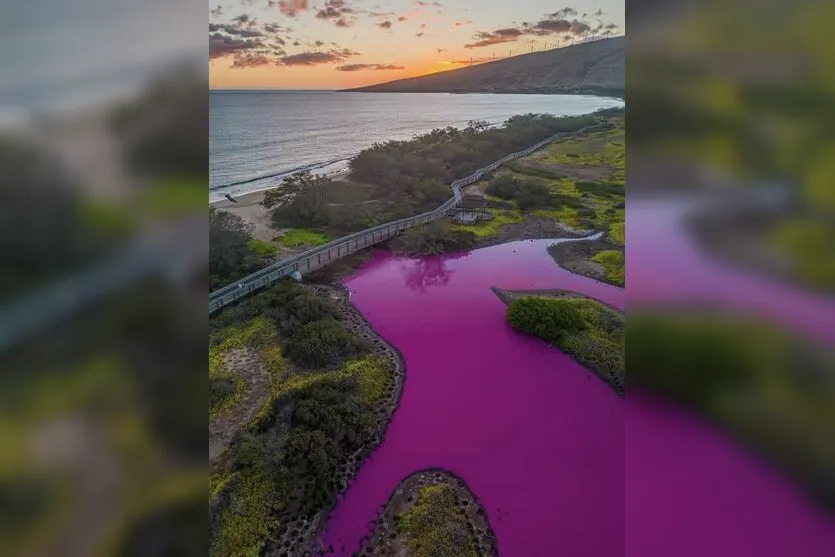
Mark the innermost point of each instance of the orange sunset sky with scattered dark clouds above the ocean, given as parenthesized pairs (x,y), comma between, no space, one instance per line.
(332,44)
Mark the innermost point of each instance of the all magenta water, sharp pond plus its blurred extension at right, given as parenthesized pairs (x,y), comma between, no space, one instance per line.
(540,441)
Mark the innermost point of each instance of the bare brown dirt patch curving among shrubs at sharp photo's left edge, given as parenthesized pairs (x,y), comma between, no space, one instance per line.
(245,363)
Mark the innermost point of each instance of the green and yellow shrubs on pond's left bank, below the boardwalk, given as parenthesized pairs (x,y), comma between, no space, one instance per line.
(286,466)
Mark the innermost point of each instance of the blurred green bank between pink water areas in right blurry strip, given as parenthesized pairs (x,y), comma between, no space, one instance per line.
(769,388)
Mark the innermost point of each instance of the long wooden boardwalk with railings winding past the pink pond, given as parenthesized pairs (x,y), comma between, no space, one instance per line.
(322,255)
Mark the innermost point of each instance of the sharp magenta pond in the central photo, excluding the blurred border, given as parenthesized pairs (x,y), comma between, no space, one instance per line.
(537,437)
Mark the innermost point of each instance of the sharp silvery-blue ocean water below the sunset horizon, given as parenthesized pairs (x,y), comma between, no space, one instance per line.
(256,138)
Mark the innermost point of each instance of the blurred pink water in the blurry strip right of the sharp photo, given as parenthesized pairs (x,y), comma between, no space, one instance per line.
(691,491)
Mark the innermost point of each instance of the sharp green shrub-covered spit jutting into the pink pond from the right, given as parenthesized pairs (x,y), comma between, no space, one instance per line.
(584,328)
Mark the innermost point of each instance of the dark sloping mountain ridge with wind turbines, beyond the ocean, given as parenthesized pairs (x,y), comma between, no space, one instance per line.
(595,67)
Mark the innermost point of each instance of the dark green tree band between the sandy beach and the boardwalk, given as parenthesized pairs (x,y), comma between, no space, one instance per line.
(404,178)
